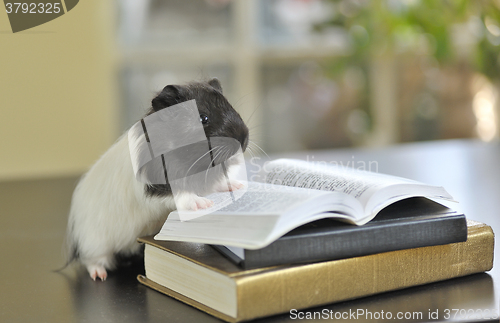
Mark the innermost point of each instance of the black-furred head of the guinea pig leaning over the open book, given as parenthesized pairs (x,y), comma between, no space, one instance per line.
(225,131)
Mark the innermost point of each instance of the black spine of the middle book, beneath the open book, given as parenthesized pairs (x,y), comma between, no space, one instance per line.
(360,241)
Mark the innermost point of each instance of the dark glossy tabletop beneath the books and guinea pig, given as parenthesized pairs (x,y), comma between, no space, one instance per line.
(33,221)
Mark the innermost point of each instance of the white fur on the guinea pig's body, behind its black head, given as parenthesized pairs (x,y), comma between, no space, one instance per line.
(110,210)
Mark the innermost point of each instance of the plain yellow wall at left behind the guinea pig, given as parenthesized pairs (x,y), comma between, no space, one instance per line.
(58,102)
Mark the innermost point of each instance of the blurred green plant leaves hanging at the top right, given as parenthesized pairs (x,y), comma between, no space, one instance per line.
(380,27)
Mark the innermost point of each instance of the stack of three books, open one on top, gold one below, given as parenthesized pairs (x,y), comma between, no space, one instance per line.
(281,246)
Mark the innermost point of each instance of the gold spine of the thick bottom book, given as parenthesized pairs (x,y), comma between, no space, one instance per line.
(299,287)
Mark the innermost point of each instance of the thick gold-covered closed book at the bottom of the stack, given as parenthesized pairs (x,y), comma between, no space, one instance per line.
(200,276)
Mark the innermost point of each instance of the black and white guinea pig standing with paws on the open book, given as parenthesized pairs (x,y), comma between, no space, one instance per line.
(110,208)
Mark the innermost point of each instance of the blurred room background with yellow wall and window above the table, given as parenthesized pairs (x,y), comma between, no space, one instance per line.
(304,74)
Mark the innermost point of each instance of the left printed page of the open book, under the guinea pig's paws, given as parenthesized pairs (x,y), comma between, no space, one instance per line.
(260,216)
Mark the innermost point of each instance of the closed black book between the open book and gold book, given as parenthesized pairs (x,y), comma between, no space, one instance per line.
(411,223)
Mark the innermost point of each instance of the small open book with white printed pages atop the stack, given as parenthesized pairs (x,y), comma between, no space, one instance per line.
(291,194)
